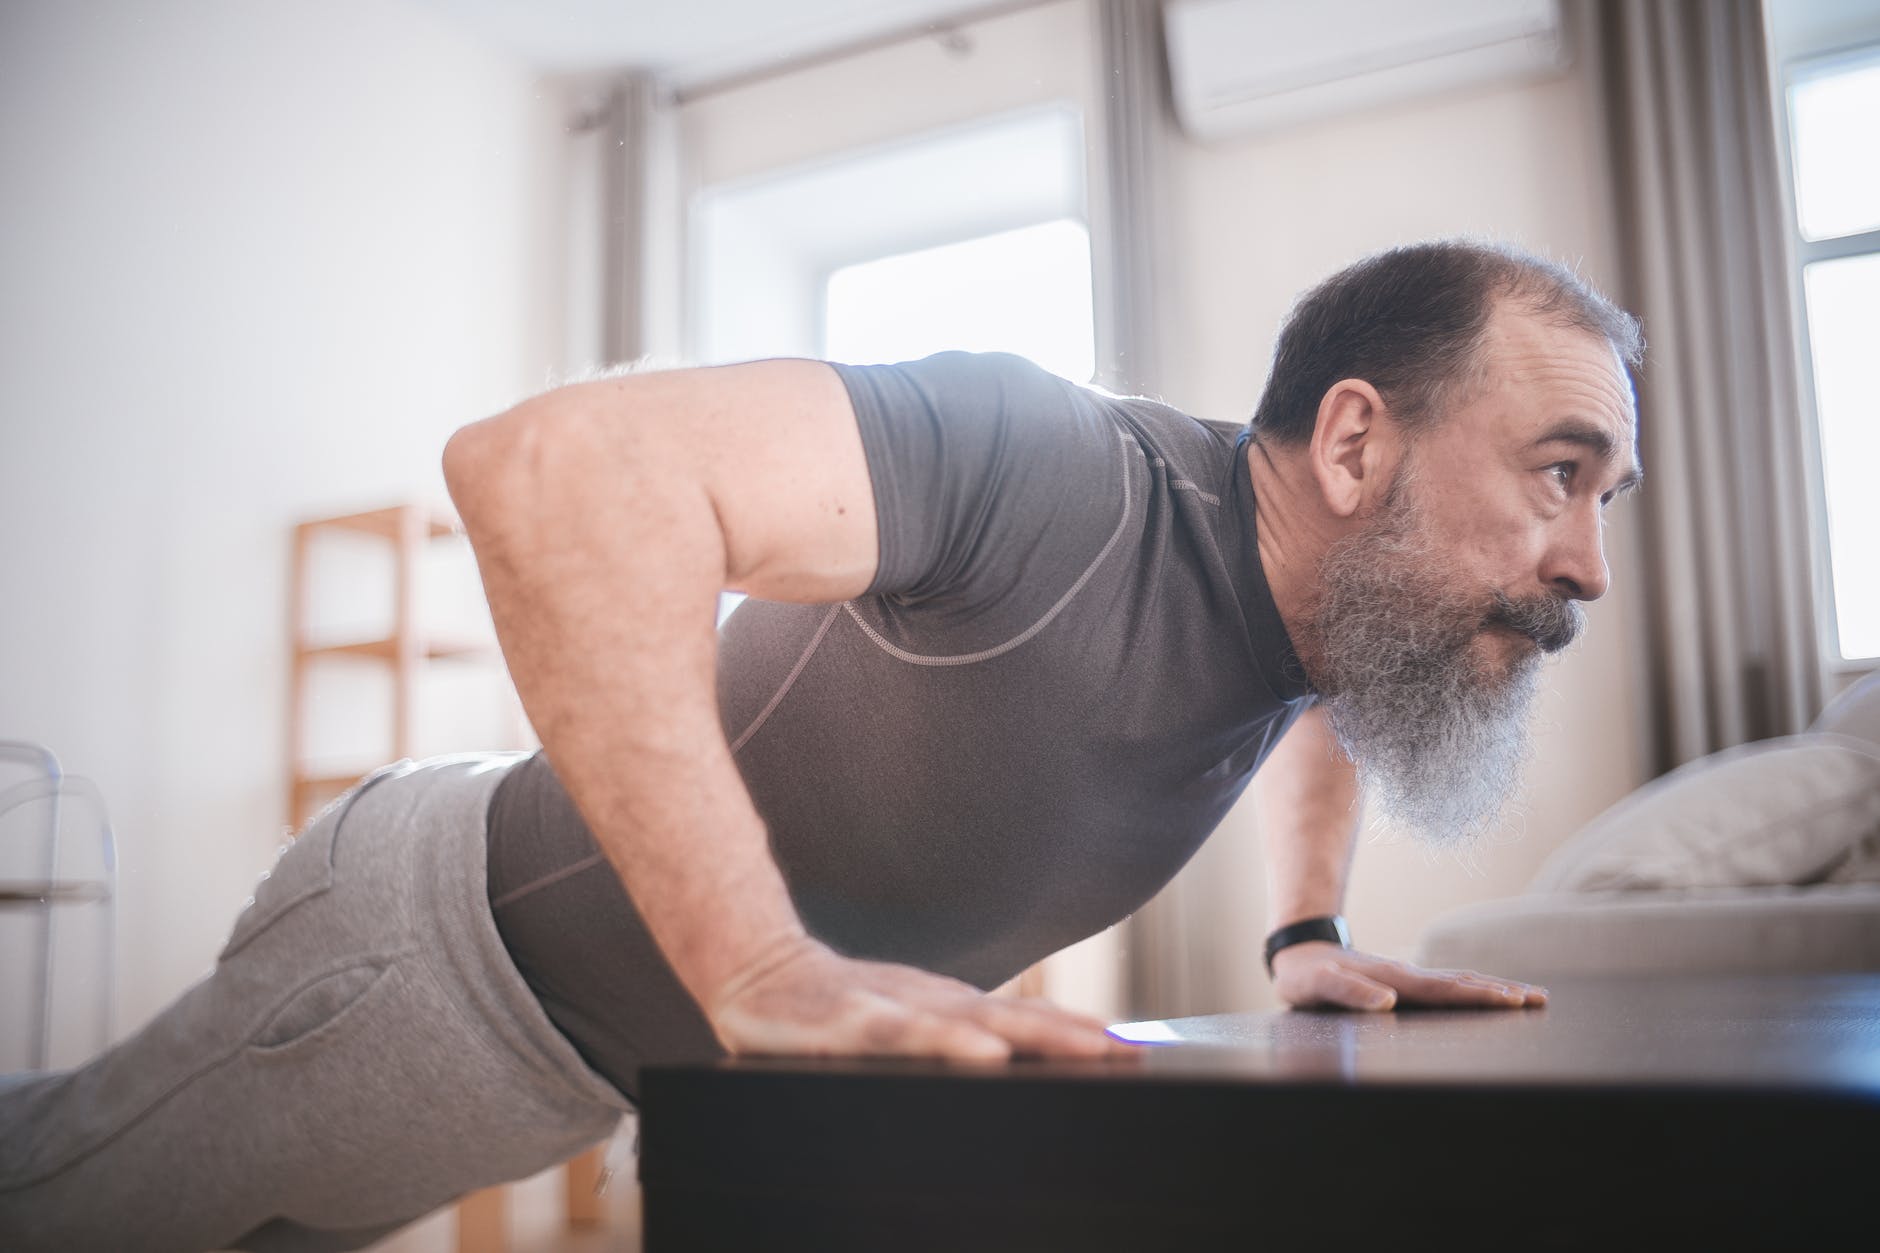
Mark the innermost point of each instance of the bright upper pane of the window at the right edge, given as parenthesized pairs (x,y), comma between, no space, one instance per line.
(1838,151)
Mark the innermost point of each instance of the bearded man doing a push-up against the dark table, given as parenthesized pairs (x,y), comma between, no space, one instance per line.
(1012,654)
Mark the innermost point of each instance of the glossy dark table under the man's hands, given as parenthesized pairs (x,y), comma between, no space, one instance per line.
(1676,1113)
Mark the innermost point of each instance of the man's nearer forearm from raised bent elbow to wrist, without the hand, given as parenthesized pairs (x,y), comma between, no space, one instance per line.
(604,599)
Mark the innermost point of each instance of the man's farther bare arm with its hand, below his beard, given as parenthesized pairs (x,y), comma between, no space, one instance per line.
(1308,804)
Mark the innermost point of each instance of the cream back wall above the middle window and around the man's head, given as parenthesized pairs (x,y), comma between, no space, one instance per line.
(1253,225)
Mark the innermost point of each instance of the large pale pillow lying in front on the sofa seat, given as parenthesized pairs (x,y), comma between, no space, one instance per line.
(1779,812)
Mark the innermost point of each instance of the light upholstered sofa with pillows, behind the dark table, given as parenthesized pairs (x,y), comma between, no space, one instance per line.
(1761,859)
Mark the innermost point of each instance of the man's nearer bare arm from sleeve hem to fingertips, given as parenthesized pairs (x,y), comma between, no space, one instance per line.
(606,520)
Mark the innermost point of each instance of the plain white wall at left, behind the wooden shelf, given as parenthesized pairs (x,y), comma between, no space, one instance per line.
(260,261)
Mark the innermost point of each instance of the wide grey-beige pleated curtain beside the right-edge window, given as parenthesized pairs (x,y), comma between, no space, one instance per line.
(1704,247)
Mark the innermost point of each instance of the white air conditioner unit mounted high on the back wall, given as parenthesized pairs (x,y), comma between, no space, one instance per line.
(1242,67)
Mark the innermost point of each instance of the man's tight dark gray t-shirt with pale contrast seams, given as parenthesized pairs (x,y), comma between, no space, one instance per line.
(1063,676)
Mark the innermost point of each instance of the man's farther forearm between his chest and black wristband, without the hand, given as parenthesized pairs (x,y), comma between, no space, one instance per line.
(1308,804)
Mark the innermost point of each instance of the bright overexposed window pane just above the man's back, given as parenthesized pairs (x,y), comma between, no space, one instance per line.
(1026,293)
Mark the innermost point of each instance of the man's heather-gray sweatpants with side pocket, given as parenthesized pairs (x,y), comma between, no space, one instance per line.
(362,1055)
